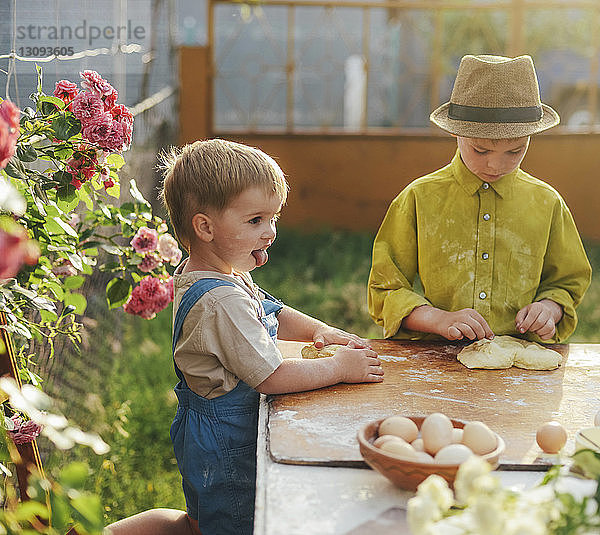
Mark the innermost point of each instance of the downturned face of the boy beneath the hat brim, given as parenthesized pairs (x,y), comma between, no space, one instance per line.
(491,159)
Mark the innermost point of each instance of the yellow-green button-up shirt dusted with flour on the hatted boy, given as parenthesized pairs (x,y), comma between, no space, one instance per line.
(492,247)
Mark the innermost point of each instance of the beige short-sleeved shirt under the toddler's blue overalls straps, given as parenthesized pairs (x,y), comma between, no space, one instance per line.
(222,339)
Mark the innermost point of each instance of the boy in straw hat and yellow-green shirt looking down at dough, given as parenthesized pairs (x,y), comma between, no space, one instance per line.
(496,250)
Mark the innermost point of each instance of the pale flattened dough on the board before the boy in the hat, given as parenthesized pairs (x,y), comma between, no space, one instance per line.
(505,351)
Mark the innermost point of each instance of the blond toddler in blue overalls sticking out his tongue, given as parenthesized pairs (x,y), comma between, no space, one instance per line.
(224,199)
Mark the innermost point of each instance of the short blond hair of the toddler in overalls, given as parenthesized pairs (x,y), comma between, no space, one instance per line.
(208,175)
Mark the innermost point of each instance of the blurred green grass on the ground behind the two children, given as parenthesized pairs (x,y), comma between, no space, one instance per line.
(322,274)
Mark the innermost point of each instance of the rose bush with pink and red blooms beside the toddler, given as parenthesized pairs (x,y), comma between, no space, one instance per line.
(62,220)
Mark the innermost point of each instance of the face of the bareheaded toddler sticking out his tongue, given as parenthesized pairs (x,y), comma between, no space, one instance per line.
(244,230)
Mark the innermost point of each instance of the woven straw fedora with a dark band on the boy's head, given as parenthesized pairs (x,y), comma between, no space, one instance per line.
(495,98)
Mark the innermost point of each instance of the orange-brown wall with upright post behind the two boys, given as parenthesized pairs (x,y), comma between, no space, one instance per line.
(348,181)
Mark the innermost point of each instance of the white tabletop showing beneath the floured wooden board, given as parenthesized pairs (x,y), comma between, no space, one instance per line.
(315,500)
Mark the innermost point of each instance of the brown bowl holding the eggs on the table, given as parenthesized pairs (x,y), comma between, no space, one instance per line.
(409,474)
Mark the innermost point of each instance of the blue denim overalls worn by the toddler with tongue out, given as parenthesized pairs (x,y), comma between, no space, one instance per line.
(215,439)
